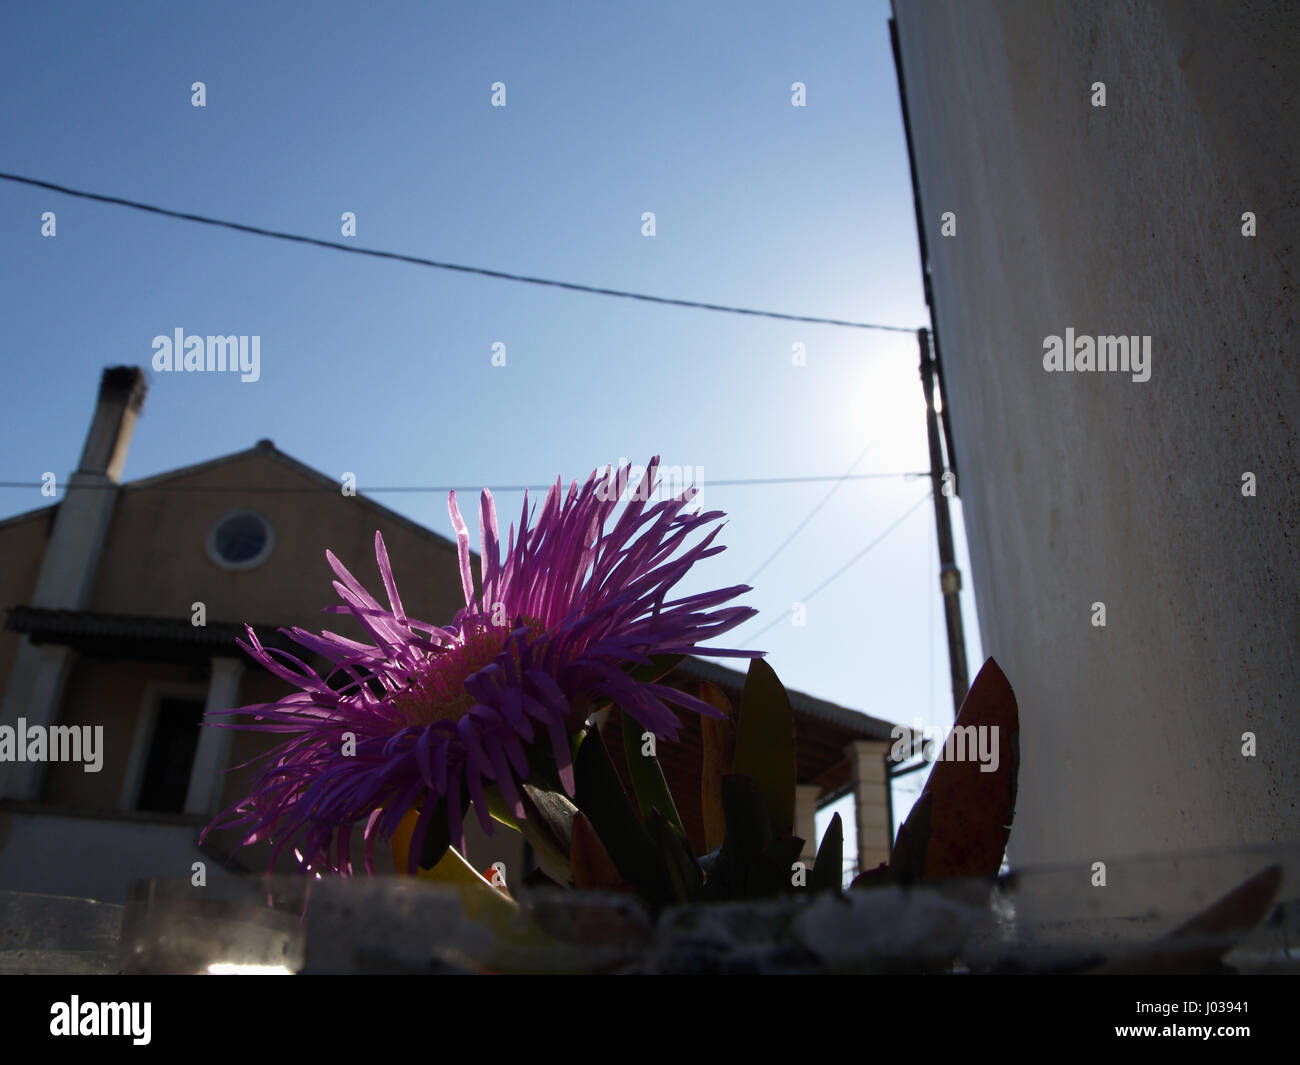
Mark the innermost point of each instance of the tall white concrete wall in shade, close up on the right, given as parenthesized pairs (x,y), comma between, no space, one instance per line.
(1086,488)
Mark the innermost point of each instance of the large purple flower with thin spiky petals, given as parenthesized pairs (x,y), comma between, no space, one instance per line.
(424,716)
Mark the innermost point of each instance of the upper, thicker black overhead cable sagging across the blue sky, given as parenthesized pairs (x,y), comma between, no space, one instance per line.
(422,262)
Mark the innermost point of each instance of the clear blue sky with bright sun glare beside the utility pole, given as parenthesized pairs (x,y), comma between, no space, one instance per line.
(385,370)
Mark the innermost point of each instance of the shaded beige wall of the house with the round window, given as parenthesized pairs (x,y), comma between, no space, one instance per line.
(155,564)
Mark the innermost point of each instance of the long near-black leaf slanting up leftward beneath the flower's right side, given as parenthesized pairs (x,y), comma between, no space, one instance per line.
(603,799)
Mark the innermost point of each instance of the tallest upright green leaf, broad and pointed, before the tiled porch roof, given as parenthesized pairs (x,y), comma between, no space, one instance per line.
(765,744)
